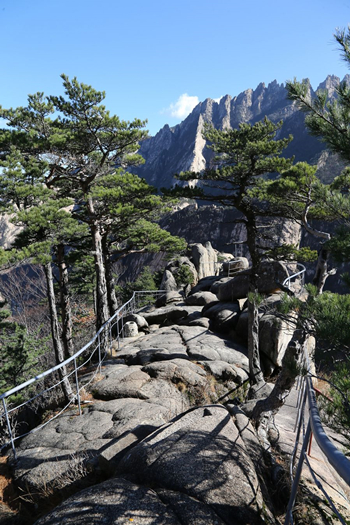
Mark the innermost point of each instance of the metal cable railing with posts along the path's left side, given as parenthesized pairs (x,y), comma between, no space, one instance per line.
(40,389)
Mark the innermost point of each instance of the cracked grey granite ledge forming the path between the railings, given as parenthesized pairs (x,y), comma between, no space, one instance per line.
(162,439)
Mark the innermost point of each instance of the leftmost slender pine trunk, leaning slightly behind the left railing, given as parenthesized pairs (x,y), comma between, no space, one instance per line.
(55,332)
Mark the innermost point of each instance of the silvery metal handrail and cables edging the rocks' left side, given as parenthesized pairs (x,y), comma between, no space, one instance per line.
(104,334)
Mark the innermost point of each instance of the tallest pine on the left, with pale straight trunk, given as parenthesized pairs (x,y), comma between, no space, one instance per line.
(82,147)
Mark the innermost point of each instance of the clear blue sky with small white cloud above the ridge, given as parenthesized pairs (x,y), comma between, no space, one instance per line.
(156,59)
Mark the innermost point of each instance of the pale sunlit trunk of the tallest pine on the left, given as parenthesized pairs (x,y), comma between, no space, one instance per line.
(102,310)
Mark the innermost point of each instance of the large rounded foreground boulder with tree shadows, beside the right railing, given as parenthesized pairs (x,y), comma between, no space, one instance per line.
(200,454)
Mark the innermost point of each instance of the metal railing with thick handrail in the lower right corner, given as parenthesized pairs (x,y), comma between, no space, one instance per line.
(340,463)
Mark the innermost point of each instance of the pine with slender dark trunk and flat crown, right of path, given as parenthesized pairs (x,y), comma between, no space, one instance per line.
(243,157)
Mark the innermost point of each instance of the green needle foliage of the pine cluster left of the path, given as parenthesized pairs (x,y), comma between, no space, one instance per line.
(65,161)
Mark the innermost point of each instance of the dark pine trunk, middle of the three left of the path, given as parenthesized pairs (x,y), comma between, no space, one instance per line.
(66,311)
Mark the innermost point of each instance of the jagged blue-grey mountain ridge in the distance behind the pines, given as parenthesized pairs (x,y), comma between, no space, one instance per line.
(182,147)
